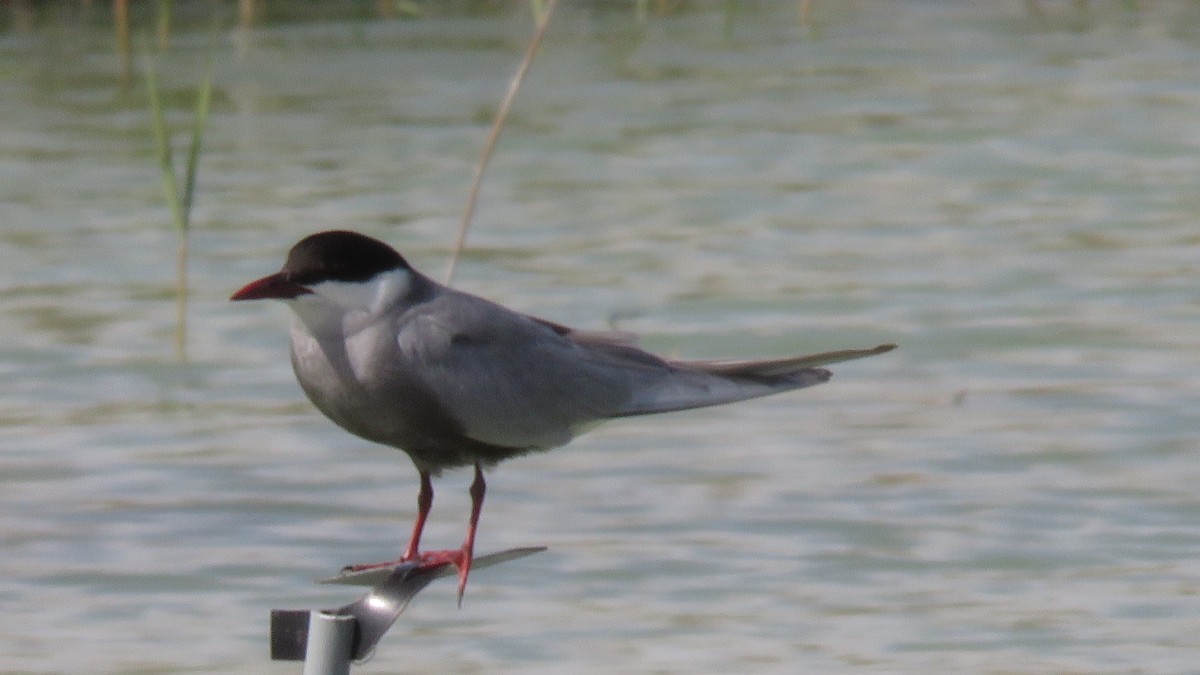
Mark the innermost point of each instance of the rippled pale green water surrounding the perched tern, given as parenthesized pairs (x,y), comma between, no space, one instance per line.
(1011,196)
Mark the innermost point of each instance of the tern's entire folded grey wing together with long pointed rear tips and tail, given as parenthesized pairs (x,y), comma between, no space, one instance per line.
(515,381)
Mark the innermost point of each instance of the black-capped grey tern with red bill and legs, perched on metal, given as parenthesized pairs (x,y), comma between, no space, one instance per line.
(455,380)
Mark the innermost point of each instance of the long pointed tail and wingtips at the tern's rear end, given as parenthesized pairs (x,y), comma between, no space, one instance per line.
(700,384)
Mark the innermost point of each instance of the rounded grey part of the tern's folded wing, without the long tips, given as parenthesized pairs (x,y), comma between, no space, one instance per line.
(511,380)
